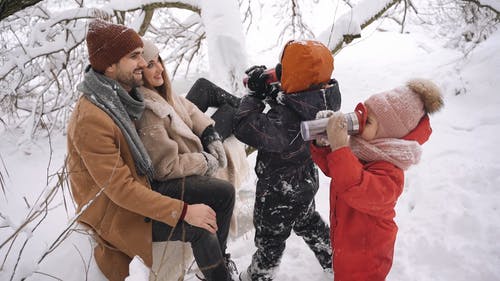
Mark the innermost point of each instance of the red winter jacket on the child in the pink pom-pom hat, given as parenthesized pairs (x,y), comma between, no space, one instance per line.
(362,201)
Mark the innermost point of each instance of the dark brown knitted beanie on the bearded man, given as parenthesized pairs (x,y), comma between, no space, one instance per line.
(107,43)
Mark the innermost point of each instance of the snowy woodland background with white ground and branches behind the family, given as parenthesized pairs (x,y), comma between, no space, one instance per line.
(449,214)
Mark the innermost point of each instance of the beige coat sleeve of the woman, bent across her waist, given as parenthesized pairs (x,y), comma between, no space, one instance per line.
(163,150)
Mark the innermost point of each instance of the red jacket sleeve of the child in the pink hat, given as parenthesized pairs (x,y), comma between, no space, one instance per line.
(372,189)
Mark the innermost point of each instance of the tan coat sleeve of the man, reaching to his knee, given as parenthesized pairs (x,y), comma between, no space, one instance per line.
(96,141)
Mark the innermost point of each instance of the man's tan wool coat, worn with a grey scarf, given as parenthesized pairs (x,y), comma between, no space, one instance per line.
(115,200)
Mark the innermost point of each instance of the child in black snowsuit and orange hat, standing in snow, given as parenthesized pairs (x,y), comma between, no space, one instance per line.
(287,178)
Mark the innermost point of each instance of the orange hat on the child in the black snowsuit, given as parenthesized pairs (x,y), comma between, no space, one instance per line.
(305,63)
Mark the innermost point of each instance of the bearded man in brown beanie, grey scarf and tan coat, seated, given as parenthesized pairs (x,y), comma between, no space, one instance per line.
(110,171)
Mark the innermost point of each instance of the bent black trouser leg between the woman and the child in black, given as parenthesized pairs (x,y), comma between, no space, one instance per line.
(205,94)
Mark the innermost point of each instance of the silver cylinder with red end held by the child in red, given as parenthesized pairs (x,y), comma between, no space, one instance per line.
(355,122)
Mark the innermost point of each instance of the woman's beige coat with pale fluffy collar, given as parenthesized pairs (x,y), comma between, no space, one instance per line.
(171,135)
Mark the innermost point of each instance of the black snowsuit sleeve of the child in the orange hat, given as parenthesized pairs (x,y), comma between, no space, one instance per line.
(258,129)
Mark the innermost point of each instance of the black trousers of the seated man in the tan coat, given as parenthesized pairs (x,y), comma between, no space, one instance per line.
(208,248)
